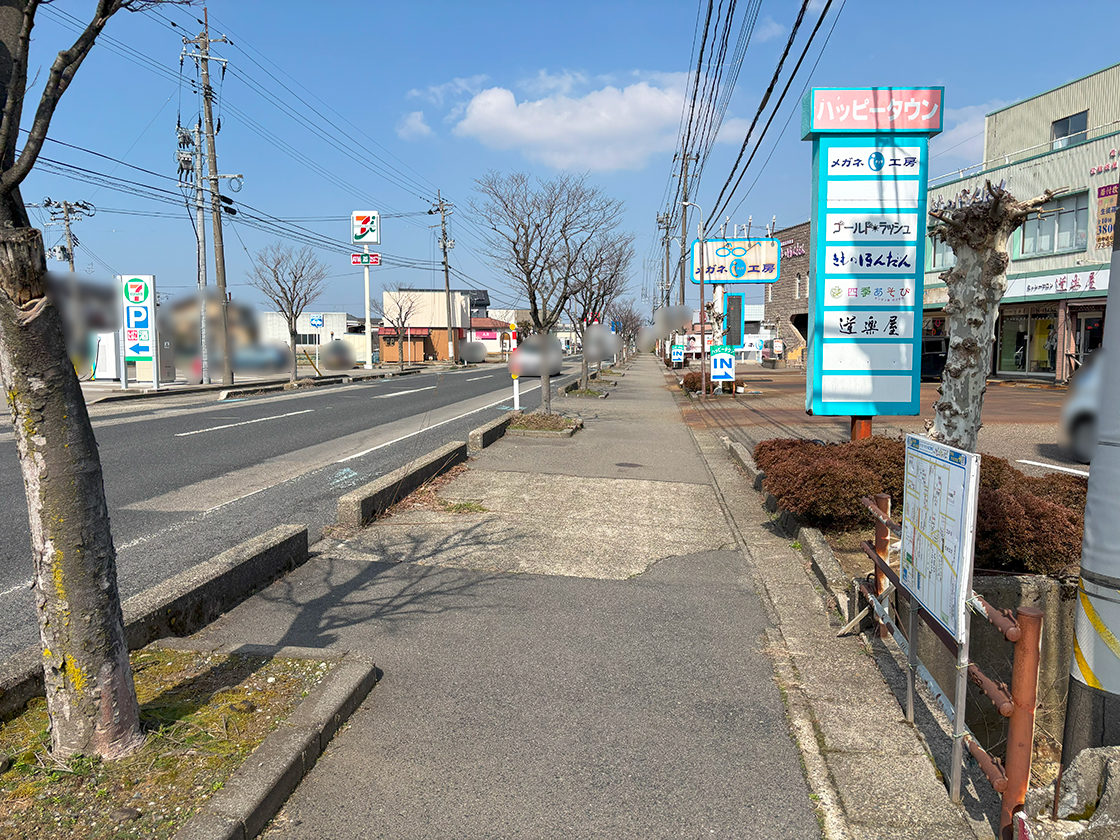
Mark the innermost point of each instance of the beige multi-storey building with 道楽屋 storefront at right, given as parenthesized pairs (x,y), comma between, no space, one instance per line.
(1053,314)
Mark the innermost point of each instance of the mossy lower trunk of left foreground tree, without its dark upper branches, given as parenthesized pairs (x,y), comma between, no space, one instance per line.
(86,660)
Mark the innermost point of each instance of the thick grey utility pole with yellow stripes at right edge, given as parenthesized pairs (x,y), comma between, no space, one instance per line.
(1093,716)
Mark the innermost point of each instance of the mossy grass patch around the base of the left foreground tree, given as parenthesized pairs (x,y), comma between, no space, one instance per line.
(203,715)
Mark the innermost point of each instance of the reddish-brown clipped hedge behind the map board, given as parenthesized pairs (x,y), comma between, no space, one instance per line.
(1024,524)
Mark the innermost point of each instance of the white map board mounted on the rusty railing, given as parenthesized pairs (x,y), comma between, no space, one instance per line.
(939,529)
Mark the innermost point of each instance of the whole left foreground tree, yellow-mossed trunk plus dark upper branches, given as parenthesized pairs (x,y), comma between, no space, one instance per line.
(91,698)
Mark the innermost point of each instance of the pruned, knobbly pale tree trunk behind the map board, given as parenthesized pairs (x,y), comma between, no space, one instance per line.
(977,228)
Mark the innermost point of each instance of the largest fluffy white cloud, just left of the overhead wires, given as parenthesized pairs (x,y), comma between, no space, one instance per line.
(612,128)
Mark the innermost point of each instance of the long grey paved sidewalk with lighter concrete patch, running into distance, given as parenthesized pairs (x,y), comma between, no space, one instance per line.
(585,655)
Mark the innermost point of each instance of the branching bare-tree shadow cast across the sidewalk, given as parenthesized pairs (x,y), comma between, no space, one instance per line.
(389,592)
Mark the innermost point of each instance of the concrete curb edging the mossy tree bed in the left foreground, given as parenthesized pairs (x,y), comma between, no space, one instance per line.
(259,788)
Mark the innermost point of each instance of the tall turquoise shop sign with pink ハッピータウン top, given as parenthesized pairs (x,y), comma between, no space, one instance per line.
(871,156)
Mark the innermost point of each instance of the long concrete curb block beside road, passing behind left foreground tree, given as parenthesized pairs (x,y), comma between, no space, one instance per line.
(180,606)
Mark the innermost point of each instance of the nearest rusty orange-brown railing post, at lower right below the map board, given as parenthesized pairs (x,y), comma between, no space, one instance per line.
(1021,729)
